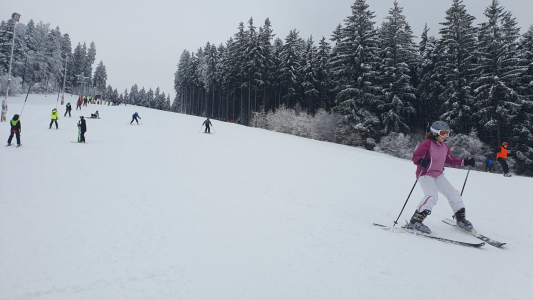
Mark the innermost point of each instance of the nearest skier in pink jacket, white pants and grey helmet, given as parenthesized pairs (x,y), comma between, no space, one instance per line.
(432,154)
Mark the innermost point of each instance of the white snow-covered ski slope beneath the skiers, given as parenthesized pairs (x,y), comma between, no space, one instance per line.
(163,211)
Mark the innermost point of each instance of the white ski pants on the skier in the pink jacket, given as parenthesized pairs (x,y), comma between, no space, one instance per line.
(432,186)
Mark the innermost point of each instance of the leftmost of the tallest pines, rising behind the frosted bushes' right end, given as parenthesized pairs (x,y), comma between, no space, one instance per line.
(354,68)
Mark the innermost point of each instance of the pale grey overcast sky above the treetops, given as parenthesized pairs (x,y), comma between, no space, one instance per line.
(141,41)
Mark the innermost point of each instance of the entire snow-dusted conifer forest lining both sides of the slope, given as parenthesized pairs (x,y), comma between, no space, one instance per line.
(365,84)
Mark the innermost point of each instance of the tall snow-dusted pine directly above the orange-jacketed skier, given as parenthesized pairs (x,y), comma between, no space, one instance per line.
(497,99)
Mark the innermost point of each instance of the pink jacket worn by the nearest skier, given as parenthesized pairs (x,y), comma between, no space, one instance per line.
(439,154)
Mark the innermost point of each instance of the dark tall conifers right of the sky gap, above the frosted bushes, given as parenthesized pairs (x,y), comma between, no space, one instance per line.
(476,76)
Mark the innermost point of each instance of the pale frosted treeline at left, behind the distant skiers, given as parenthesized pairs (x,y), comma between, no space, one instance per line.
(40,56)
